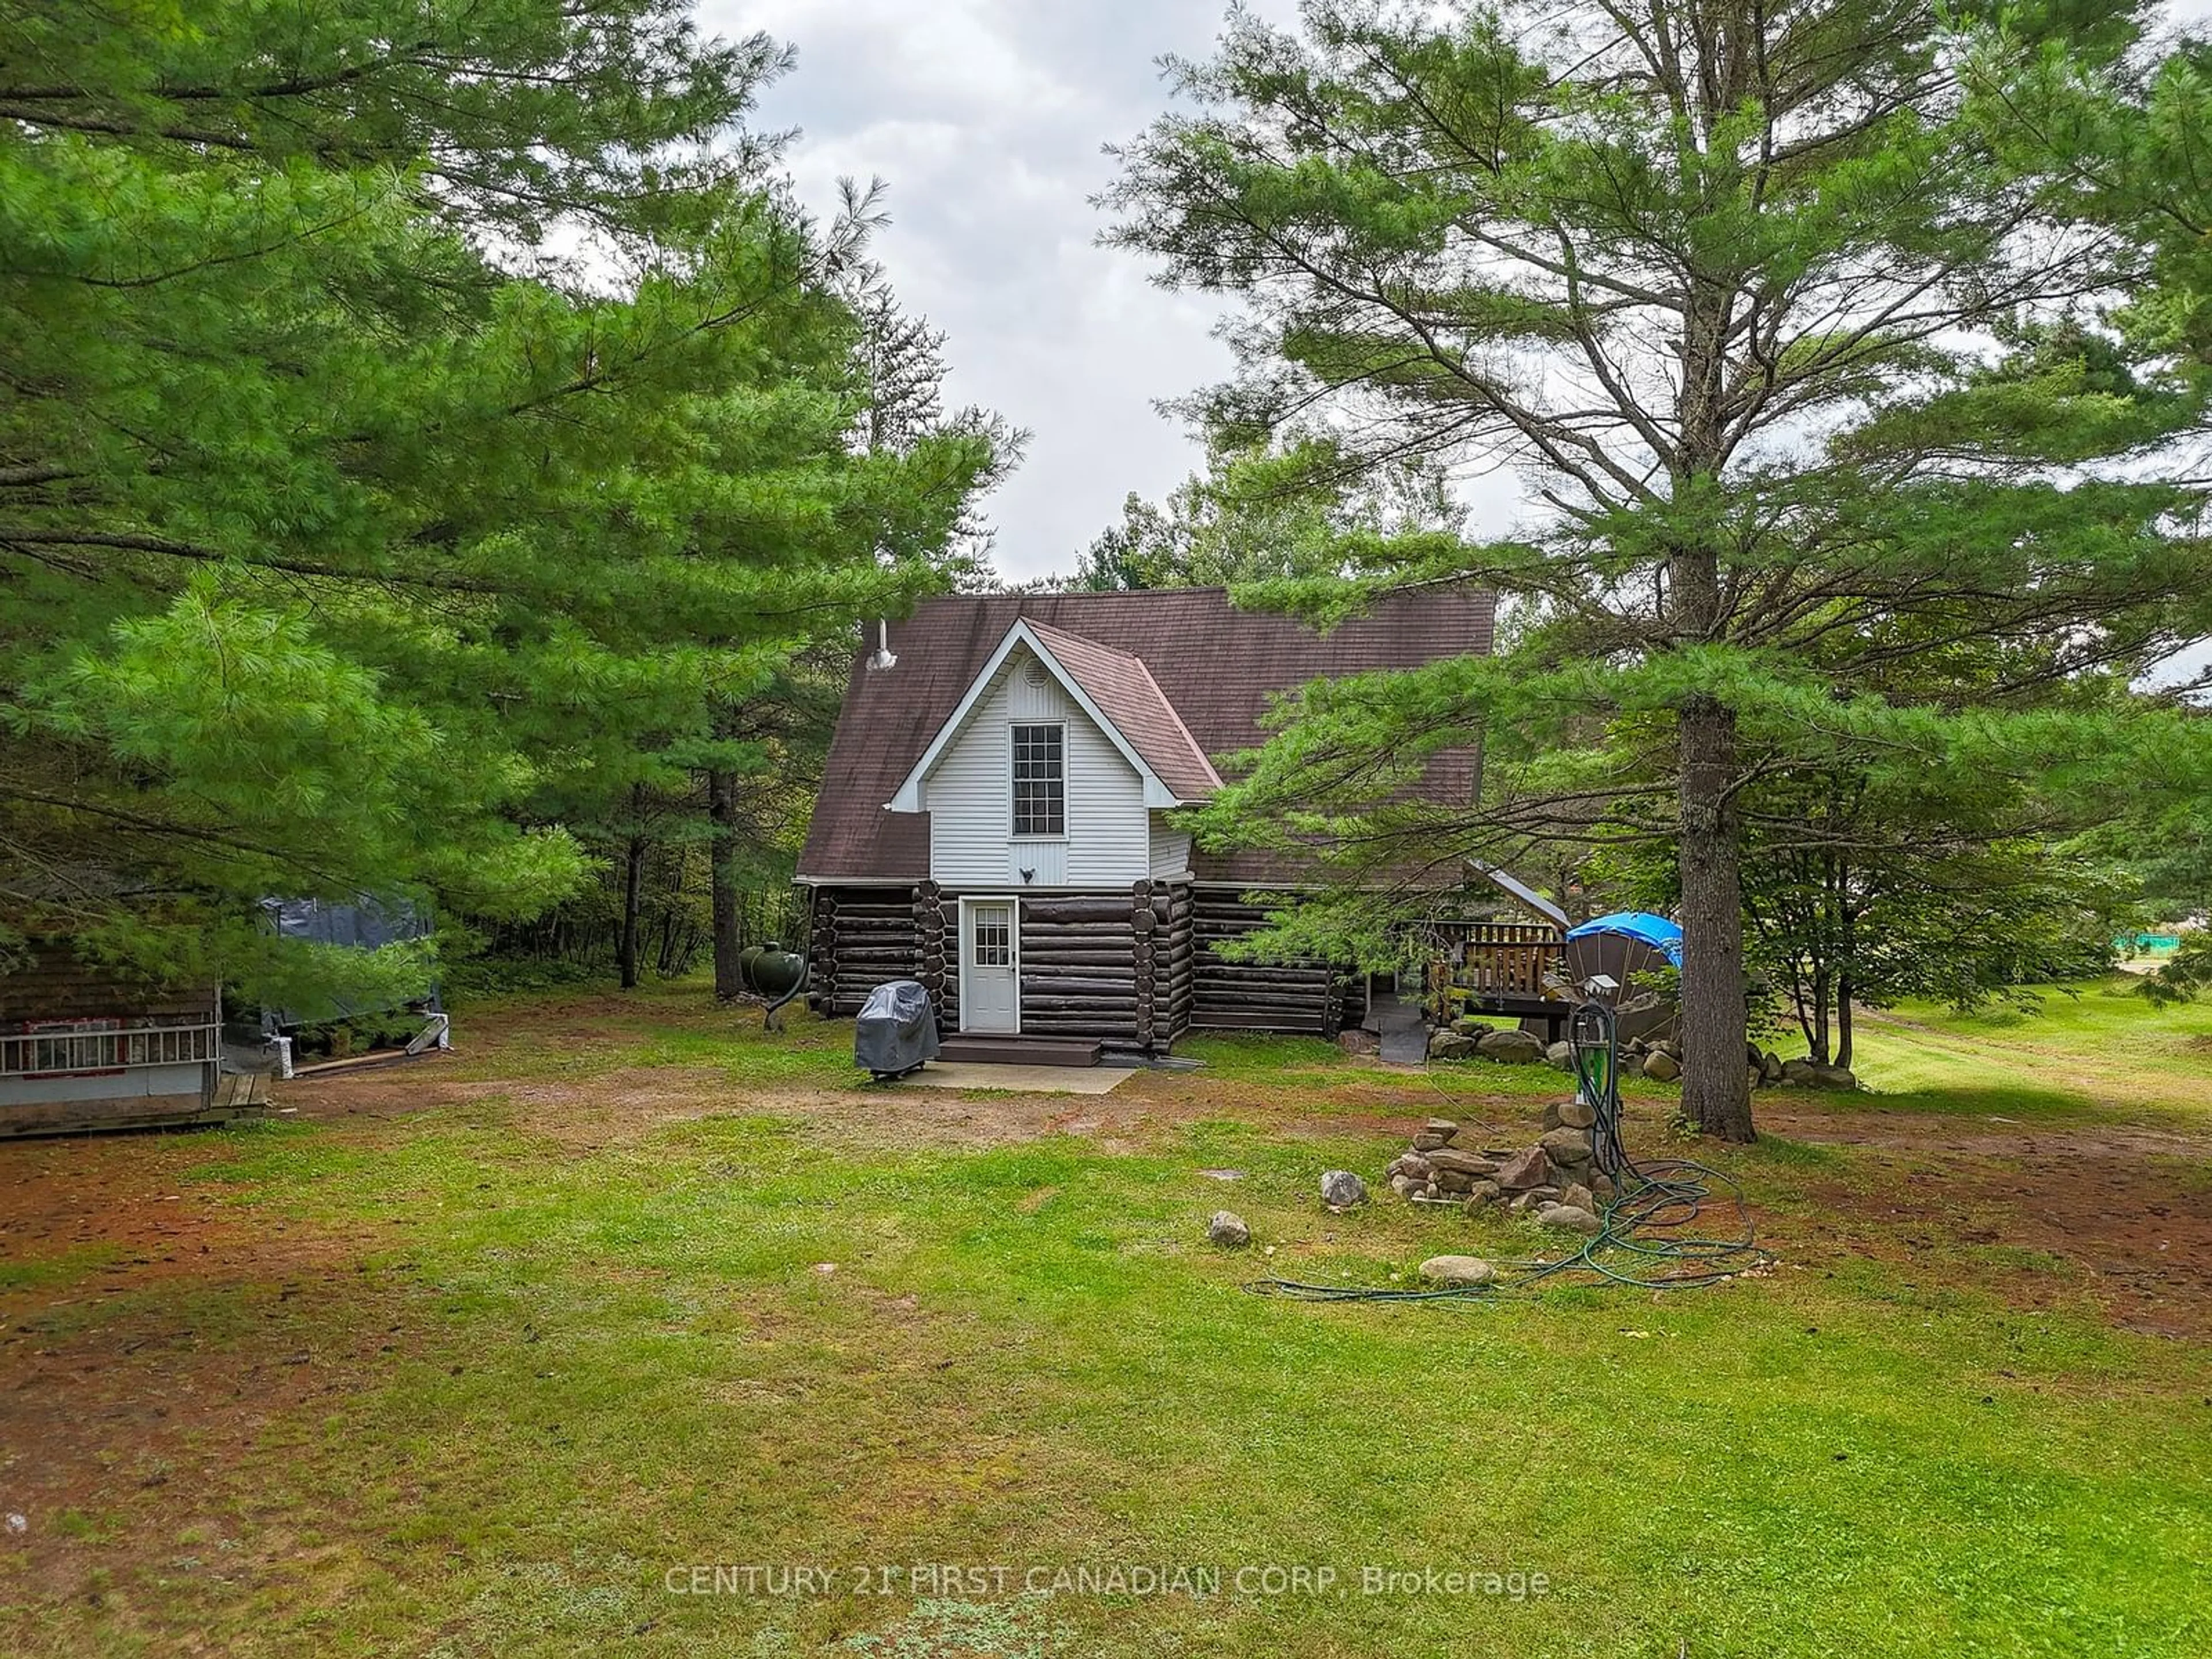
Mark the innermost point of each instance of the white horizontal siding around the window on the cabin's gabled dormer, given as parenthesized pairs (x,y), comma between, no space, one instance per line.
(970,800)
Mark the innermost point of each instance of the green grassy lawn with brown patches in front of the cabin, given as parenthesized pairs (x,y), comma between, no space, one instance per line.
(508,1364)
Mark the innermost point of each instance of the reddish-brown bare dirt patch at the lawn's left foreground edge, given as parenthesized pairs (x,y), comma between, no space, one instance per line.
(125,1417)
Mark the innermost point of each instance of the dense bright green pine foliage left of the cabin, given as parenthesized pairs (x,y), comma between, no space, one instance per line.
(415,421)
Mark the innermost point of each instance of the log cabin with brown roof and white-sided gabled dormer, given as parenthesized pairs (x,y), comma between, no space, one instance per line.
(999,820)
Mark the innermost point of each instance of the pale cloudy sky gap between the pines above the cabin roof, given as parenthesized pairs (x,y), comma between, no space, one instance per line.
(988,121)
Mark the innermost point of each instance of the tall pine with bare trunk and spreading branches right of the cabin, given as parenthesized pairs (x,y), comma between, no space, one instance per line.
(1775,331)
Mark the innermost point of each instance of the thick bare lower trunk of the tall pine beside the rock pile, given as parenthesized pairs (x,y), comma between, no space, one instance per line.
(1715,1089)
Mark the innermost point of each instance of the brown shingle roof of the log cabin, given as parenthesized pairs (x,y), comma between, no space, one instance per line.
(1218,669)
